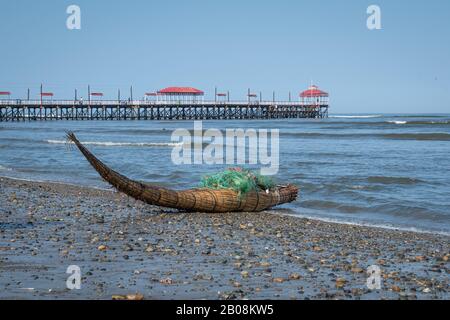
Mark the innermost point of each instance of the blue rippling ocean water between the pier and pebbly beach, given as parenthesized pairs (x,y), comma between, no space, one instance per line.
(383,170)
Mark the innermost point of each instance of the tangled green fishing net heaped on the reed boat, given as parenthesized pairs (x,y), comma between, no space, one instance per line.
(239,180)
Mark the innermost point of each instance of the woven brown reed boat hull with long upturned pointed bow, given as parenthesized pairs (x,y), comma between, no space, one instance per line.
(198,200)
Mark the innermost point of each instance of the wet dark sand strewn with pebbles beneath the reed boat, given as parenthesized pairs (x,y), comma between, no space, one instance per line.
(123,246)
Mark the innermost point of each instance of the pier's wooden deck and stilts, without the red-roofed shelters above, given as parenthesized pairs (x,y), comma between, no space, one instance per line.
(33,110)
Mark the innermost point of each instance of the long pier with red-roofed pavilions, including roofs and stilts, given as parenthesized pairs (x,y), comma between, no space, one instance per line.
(173,103)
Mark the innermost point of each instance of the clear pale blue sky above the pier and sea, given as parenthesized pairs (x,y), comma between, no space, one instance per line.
(233,45)
